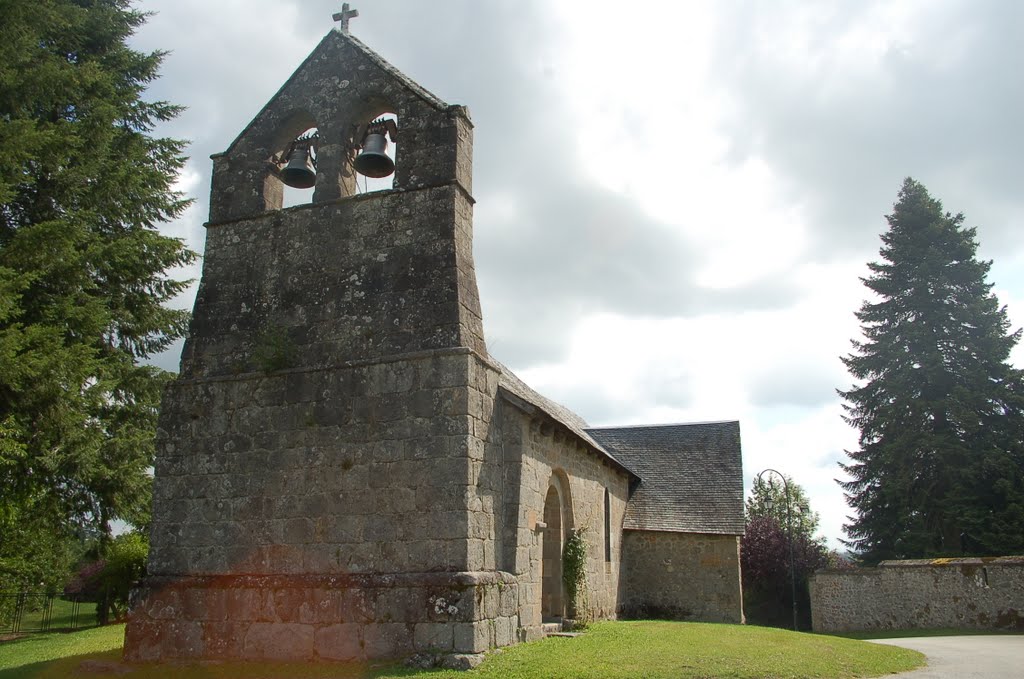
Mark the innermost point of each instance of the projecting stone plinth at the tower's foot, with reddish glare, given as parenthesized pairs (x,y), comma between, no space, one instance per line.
(322,618)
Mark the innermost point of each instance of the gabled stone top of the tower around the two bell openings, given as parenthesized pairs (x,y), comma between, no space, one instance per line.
(340,86)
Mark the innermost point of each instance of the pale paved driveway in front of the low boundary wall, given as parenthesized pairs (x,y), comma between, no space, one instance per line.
(966,658)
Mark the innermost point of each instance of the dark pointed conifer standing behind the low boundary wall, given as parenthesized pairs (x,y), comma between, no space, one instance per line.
(941,465)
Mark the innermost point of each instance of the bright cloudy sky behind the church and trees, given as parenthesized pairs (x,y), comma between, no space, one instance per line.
(675,200)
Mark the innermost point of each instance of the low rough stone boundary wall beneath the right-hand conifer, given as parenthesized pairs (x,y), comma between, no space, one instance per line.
(967,593)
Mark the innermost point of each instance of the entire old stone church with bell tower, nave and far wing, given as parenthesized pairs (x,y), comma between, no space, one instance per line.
(344,471)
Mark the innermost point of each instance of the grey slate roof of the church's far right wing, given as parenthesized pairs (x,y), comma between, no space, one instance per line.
(692,476)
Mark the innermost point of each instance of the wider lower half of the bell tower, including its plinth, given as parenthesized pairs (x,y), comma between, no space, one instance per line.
(325,515)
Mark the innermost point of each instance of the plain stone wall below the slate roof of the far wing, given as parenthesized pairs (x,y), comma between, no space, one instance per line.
(681,576)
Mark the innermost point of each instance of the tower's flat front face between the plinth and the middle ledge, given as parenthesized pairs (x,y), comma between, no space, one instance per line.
(358,470)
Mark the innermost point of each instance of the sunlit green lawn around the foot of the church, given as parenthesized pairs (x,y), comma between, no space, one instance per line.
(607,650)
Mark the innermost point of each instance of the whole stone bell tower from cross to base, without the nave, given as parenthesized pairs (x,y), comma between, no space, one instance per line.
(318,461)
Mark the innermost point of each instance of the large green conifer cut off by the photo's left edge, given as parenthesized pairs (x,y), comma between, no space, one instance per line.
(83,274)
